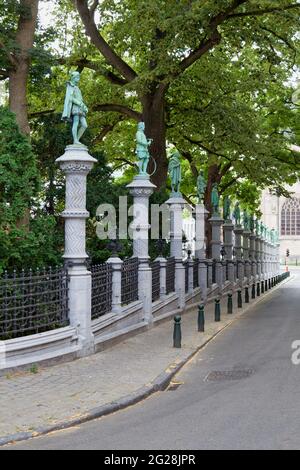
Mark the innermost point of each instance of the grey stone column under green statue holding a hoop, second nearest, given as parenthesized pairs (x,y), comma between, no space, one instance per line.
(141,189)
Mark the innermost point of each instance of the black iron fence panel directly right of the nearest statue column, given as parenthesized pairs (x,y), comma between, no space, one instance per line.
(101,289)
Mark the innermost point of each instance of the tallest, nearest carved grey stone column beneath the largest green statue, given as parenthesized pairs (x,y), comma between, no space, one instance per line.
(76,163)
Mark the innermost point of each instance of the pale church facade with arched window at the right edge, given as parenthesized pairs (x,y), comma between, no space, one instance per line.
(283,214)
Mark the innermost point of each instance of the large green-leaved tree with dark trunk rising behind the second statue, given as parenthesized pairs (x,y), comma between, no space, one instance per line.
(147,45)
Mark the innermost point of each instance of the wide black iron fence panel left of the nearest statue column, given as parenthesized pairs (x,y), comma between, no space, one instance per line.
(33,302)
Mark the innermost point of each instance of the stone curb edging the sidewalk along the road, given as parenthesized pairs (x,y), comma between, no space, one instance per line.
(159,384)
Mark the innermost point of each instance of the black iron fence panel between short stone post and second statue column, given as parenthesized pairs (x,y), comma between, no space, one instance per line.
(130,282)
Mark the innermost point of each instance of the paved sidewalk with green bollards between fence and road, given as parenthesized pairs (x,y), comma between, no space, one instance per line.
(42,400)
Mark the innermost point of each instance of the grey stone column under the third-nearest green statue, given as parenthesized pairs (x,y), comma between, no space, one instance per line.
(176,204)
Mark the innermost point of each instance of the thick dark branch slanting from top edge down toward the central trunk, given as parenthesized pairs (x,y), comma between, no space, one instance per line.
(99,42)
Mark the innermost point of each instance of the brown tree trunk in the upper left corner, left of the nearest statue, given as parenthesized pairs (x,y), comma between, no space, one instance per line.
(18,75)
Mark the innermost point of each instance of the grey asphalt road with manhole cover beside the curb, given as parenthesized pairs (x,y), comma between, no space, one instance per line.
(258,411)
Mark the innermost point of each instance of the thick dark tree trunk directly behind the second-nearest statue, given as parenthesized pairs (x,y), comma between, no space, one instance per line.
(155,123)
